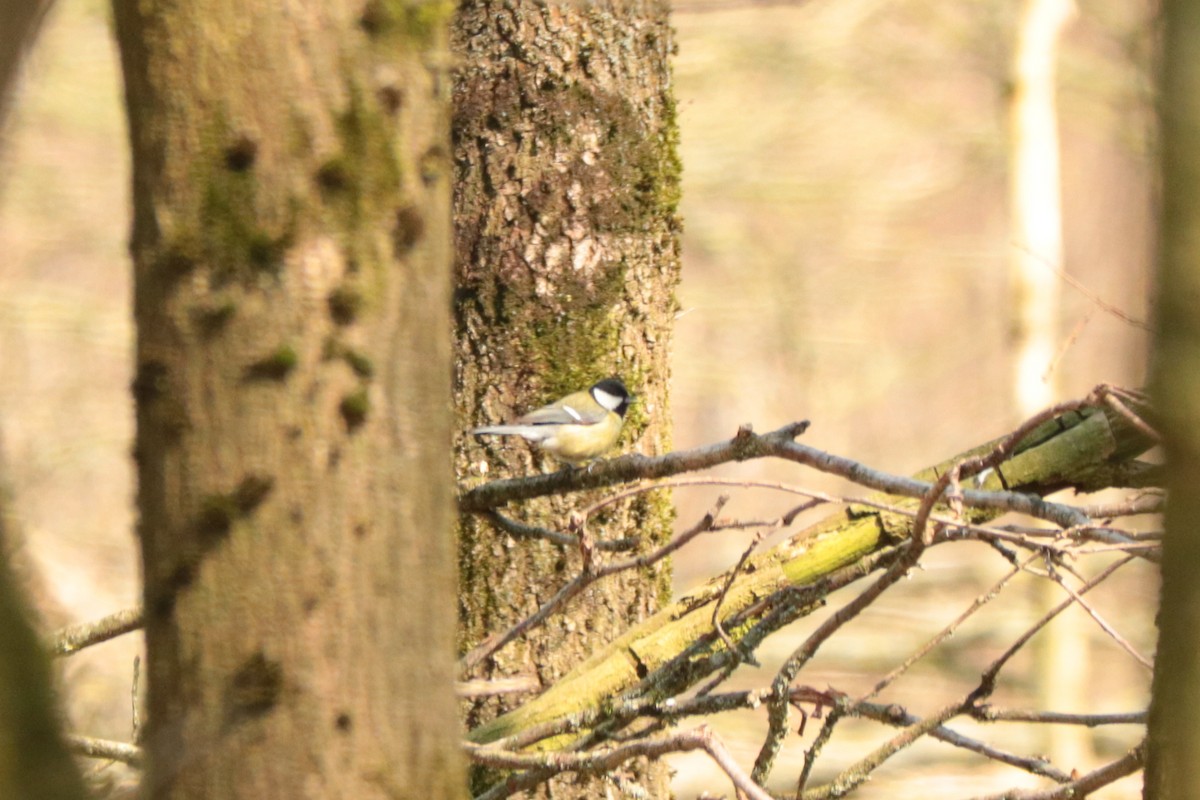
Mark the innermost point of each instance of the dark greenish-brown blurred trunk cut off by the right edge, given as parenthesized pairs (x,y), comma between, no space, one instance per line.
(1173,769)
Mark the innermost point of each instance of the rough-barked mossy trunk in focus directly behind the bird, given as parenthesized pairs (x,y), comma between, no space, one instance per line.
(568,257)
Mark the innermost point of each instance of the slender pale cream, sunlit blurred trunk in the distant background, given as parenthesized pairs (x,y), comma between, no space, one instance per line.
(1036,264)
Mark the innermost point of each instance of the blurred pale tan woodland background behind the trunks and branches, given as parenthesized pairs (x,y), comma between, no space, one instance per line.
(847,261)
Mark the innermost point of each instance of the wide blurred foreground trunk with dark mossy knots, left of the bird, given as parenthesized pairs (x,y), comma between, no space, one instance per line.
(292,278)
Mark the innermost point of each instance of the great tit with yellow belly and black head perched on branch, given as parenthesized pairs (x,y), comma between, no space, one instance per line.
(578,429)
